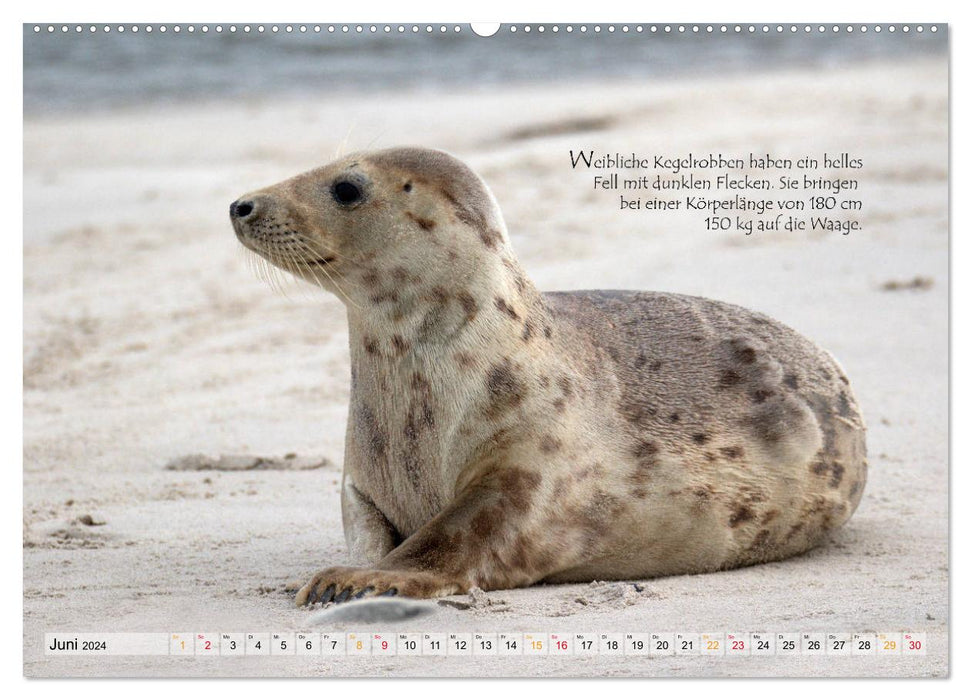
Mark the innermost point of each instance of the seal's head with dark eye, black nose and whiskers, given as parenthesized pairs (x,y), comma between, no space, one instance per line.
(374,226)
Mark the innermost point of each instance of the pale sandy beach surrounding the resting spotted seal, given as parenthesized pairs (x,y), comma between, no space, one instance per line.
(148,338)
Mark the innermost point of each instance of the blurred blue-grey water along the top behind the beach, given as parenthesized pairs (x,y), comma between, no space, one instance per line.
(70,72)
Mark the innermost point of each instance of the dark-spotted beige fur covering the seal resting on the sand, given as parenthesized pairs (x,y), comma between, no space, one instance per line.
(500,437)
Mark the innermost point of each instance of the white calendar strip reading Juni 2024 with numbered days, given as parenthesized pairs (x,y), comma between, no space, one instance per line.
(384,644)
